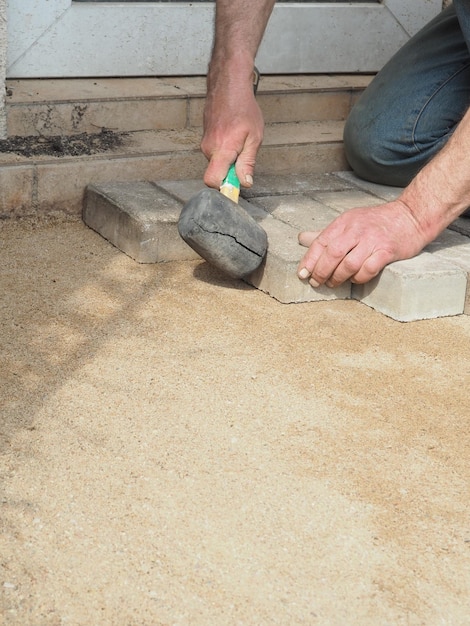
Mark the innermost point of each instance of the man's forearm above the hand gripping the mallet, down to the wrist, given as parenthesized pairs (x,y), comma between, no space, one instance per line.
(239,29)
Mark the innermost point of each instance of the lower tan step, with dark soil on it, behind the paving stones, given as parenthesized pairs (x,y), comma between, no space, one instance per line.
(44,184)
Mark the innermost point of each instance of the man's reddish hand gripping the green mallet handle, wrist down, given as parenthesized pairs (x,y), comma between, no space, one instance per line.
(233,131)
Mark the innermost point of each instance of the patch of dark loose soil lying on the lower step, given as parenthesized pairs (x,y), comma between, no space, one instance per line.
(63,145)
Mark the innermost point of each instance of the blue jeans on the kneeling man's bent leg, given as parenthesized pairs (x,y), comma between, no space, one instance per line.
(413,105)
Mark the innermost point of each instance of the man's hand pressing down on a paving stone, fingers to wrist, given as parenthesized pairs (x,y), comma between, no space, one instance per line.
(358,244)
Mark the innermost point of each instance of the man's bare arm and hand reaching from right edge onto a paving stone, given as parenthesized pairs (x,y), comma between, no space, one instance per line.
(358,244)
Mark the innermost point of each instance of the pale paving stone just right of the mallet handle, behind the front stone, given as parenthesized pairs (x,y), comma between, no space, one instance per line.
(298,211)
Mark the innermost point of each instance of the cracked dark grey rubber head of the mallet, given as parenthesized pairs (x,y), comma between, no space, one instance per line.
(223,233)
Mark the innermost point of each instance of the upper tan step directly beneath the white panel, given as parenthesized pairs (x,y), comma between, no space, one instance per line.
(70,106)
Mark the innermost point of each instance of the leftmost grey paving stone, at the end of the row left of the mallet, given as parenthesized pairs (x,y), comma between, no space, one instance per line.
(139,219)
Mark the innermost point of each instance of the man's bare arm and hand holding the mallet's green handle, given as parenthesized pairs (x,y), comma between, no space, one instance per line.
(233,123)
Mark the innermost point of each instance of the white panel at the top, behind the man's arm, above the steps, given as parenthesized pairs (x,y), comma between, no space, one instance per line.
(61,38)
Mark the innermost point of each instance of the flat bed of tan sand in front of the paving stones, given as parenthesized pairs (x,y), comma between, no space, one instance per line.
(178,448)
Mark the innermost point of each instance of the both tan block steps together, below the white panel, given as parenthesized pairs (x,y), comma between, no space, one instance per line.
(162,119)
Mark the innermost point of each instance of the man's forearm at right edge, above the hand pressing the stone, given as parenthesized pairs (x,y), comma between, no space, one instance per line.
(441,191)
